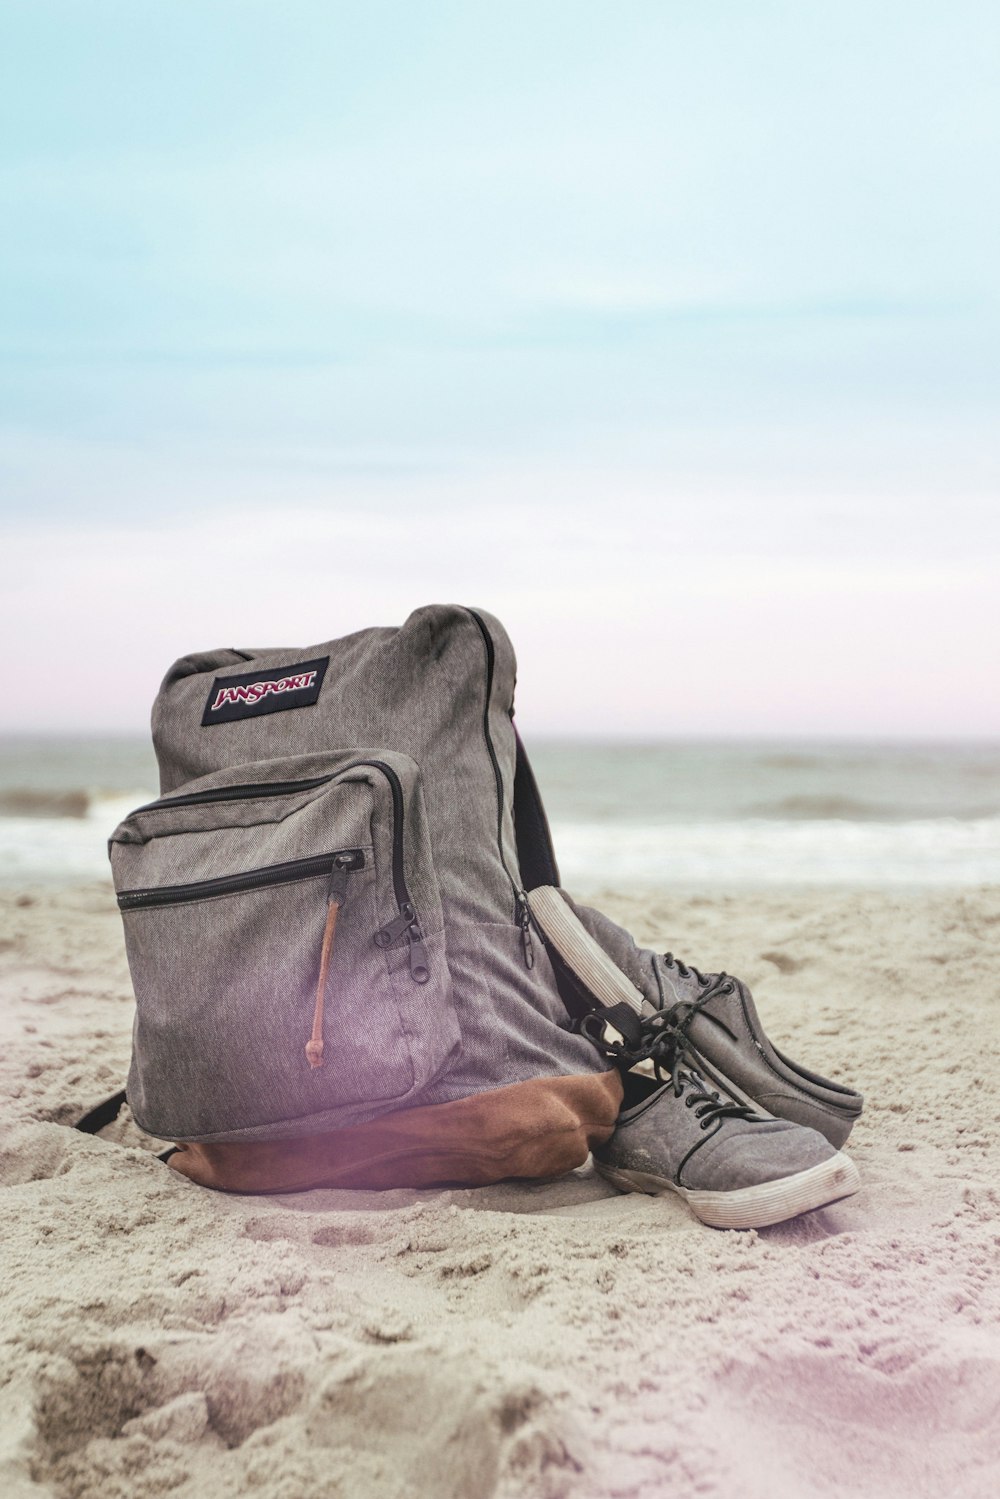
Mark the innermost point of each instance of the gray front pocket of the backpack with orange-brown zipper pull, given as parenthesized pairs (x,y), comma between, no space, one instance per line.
(287,948)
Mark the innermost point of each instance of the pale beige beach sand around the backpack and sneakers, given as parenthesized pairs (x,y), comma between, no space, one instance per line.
(521,1341)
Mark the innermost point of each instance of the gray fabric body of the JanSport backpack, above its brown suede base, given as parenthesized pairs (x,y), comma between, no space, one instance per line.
(326,911)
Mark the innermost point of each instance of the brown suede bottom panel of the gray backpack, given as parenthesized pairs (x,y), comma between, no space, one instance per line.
(540,1128)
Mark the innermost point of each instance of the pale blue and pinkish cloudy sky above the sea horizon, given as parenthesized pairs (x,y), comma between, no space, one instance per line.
(669,334)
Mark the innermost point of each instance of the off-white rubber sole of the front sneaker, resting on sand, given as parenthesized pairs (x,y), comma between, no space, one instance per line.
(753,1207)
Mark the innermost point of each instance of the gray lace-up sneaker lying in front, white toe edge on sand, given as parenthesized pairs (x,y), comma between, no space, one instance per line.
(734,1167)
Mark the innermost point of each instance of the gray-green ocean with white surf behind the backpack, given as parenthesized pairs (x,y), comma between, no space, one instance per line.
(698,816)
